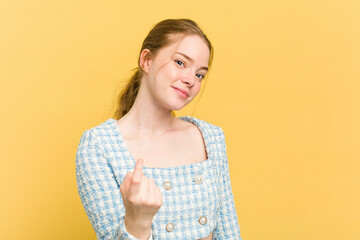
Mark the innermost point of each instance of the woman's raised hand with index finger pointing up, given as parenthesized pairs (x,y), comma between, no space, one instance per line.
(142,199)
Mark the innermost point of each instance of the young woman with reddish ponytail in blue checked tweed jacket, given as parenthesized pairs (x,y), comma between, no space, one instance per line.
(149,174)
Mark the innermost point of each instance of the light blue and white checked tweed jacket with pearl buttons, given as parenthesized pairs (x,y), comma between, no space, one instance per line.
(197,198)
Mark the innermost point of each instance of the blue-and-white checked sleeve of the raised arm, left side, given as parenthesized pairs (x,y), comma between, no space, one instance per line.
(99,191)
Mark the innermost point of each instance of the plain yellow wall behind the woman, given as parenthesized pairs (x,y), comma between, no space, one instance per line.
(284,87)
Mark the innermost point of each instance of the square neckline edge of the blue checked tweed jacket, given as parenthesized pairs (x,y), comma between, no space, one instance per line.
(190,119)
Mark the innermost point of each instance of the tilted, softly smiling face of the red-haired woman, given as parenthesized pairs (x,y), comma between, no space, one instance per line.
(176,72)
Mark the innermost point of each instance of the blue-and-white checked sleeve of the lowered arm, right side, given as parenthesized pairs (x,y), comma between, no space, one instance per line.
(227,226)
